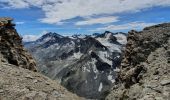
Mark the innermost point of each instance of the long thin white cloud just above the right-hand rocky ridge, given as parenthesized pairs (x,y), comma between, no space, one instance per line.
(132,25)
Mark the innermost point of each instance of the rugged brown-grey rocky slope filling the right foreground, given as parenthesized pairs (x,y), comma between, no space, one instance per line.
(145,69)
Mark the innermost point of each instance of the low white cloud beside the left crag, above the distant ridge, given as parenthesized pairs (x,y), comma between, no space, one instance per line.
(28,38)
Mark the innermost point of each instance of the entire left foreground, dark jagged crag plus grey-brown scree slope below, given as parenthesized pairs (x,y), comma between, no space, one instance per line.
(17,79)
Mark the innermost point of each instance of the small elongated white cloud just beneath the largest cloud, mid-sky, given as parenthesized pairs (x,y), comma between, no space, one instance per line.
(101,20)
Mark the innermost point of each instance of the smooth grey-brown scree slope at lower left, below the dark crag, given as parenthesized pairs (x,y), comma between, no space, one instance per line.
(21,84)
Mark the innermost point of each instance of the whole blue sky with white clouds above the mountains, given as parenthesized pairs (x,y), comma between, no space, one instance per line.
(34,18)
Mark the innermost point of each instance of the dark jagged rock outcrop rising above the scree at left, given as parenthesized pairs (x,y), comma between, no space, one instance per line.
(12,50)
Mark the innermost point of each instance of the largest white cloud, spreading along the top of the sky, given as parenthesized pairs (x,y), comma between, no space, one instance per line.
(57,11)
